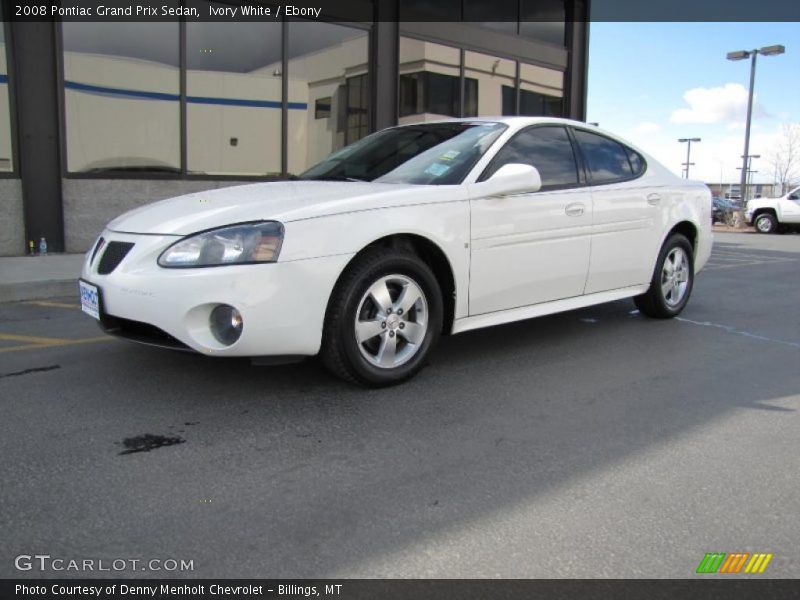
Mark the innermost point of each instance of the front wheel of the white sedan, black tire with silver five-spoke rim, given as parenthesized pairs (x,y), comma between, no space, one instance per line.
(391,300)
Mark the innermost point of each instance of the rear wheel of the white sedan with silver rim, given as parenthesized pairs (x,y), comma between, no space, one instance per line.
(672,281)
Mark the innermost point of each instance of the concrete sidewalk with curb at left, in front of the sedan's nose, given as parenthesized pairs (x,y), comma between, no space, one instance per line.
(37,277)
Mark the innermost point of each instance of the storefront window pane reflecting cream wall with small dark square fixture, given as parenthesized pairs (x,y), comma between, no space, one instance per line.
(233,98)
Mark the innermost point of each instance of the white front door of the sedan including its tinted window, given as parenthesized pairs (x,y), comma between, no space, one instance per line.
(534,247)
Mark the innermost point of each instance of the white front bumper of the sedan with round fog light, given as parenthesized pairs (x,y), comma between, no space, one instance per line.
(282,304)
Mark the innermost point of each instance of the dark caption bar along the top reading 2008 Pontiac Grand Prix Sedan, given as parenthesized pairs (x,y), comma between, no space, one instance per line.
(410,10)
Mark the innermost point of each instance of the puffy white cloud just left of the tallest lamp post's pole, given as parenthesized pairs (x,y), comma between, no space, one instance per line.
(724,104)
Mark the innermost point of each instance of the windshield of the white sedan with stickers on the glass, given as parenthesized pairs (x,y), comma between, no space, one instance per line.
(427,153)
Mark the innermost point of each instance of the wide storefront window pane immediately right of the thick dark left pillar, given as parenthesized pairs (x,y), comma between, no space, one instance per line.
(122,96)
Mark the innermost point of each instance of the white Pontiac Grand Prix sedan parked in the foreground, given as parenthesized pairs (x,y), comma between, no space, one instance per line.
(412,232)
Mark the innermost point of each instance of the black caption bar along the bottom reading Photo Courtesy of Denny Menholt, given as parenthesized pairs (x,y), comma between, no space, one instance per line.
(701,587)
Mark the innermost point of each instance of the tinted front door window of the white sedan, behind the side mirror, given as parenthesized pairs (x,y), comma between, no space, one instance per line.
(546,148)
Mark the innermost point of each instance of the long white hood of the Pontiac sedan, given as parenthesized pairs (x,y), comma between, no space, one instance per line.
(283,201)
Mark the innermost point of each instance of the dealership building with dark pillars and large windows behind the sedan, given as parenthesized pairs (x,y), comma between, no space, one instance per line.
(97,118)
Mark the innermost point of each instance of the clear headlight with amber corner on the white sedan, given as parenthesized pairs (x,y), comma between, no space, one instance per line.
(244,243)
